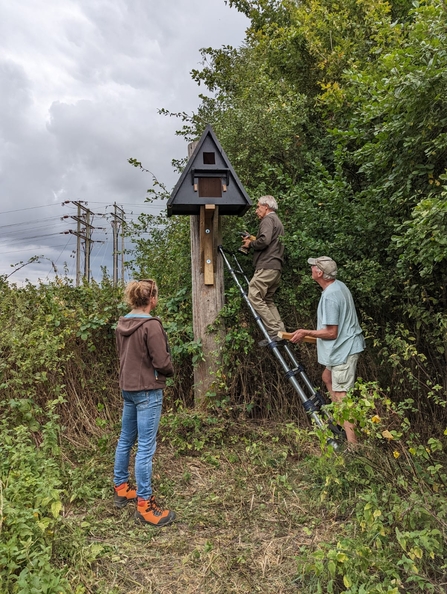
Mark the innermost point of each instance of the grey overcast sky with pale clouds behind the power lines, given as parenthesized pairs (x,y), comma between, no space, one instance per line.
(81,82)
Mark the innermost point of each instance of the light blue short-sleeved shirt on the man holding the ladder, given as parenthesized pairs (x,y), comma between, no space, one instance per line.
(336,308)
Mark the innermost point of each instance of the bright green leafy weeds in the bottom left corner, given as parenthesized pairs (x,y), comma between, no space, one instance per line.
(31,504)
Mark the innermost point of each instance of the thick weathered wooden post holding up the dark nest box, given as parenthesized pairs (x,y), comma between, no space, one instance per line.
(207,294)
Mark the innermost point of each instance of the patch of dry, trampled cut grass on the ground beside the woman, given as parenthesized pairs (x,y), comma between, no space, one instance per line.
(242,516)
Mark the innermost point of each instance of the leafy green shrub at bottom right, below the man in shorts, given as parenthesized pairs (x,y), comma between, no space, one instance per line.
(390,493)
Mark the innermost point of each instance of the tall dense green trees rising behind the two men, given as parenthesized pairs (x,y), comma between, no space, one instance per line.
(339,111)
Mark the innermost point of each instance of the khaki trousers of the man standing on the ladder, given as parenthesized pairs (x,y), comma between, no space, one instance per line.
(261,289)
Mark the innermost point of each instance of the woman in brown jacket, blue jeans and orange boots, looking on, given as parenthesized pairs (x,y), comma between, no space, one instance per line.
(145,363)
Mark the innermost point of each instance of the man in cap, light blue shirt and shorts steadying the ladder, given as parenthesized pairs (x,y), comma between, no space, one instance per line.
(339,335)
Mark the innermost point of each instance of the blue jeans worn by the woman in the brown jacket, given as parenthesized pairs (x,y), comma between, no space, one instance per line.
(141,416)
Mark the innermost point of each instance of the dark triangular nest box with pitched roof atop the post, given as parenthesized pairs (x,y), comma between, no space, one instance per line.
(208,178)
